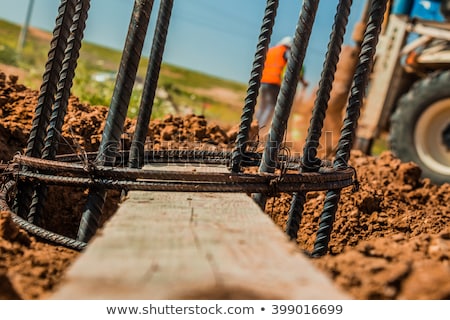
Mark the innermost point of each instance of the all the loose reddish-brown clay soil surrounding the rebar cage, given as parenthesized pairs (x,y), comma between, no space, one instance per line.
(391,239)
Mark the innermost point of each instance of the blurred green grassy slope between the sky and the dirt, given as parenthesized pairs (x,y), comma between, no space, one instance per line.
(188,90)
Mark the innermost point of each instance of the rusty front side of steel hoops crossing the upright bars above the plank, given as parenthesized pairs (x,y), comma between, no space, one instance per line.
(74,174)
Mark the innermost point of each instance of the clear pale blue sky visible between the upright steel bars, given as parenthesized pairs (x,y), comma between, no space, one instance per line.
(213,36)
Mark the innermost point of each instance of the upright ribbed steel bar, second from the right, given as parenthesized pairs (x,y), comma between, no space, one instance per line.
(310,162)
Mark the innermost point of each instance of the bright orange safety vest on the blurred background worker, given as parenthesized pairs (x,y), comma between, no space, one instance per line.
(274,65)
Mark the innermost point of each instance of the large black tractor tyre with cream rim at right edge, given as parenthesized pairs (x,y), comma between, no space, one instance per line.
(420,127)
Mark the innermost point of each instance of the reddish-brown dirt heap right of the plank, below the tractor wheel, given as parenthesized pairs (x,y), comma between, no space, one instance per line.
(390,239)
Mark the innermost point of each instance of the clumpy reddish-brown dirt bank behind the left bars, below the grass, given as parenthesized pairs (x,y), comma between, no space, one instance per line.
(84,124)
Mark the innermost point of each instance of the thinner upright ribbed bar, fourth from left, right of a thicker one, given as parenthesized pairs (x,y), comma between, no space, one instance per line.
(151,81)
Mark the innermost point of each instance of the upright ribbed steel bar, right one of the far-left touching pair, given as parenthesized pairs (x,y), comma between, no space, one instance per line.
(61,101)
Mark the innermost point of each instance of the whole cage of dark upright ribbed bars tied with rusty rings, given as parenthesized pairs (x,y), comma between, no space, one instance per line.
(24,186)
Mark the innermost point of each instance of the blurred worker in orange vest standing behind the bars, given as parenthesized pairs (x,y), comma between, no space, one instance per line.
(273,72)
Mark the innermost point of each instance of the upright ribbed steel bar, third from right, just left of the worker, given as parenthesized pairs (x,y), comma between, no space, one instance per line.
(287,91)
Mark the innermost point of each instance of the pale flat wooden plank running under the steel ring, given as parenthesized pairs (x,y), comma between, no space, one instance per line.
(193,246)
